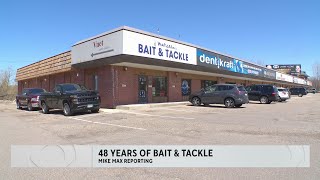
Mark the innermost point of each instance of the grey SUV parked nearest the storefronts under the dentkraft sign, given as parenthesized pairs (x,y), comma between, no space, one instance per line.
(230,95)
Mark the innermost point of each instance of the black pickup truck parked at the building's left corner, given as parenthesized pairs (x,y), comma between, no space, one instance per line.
(70,98)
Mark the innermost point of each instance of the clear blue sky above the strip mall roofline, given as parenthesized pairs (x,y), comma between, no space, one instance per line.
(268,32)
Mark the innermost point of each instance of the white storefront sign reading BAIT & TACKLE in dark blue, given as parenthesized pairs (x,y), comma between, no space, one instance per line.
(147,46)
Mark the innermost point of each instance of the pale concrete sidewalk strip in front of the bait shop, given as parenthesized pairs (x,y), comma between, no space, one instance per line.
(150,105)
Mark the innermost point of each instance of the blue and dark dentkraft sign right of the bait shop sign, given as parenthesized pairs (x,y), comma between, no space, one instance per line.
(214,60)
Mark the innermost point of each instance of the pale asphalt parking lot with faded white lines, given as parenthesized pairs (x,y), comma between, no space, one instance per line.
(295,122)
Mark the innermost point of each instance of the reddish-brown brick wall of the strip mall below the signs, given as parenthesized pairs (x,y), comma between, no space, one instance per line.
(118,85)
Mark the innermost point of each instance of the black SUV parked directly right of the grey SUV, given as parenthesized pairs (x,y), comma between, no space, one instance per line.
(263,92)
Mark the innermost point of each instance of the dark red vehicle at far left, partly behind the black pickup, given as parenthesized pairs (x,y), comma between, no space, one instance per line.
(29,98)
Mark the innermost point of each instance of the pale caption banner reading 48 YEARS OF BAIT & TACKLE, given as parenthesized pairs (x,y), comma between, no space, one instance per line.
(111,156)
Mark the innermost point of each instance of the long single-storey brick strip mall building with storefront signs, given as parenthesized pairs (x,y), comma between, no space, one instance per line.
(129,66)
